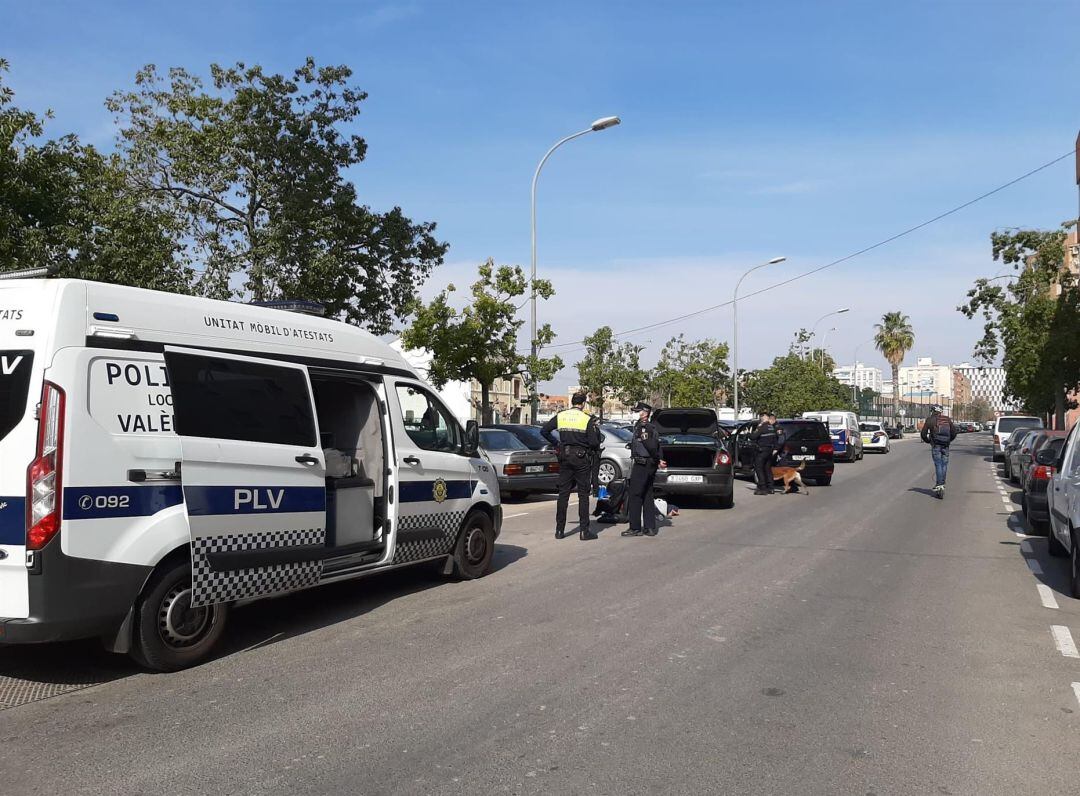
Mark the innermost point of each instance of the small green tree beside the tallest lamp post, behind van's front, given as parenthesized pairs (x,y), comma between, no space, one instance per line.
(481,341)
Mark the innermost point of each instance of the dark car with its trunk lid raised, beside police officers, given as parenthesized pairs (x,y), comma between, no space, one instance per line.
(698,453)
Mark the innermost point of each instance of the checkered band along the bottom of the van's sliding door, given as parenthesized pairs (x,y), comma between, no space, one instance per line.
(211,587)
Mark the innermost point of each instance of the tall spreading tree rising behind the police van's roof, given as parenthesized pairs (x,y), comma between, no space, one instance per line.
(255,170)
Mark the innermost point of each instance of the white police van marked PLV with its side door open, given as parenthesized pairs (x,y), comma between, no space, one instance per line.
(165,457)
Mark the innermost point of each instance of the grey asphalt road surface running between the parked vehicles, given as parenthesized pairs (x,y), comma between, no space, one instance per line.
(867,639)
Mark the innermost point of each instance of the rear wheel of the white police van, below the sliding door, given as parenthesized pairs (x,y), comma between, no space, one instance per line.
(170,636)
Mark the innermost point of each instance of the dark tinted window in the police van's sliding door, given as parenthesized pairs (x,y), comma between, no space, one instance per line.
(247,401)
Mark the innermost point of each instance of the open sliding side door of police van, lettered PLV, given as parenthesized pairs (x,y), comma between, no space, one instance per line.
(253,474)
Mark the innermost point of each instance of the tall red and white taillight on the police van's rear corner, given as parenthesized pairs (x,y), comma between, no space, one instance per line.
(44,478)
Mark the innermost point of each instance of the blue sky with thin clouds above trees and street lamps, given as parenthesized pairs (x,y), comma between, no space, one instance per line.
(750,130)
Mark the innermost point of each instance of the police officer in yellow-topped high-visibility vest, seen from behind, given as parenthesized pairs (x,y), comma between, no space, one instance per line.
(578,444)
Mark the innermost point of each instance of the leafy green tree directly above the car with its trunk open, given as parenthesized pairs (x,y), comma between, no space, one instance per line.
(692,373)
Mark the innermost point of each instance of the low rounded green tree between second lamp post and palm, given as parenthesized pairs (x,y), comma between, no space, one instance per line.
(792,386)
